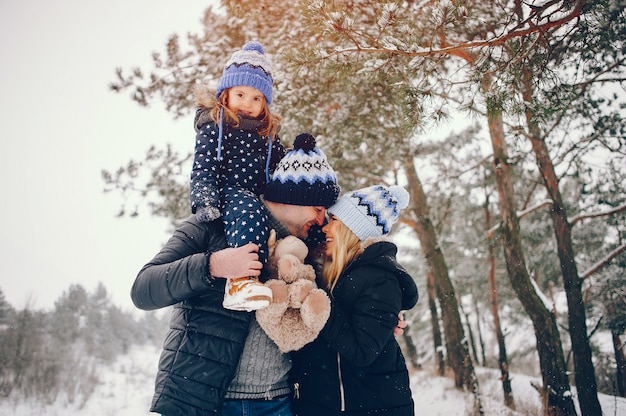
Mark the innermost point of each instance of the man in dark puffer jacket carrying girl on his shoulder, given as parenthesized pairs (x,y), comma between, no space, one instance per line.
(217,361)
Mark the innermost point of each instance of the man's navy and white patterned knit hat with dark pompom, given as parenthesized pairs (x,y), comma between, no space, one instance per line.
(303,176)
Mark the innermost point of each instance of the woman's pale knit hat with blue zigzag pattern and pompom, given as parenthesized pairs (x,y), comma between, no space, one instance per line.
(371,211)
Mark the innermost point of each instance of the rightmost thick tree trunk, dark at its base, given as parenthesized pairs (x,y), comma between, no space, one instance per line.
(586,385)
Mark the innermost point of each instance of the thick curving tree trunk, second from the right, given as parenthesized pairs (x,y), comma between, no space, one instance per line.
(555,383)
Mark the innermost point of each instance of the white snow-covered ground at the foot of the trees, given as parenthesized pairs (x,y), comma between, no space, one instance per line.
(126,390)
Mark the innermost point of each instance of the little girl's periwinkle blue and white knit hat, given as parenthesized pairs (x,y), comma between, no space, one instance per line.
(248,67)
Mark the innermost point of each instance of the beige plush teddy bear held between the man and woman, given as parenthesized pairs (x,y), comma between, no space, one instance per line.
(299,310)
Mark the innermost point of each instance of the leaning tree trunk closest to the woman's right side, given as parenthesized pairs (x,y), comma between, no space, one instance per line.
(456,346)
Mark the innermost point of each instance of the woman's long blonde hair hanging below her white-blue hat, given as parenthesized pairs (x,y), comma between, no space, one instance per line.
(346,247)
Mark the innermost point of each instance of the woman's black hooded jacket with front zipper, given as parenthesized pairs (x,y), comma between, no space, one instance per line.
(355,366)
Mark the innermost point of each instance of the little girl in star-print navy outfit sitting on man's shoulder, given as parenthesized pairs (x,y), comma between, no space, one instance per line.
(237,148)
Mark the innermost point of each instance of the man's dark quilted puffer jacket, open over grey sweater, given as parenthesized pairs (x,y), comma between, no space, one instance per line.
(203,346)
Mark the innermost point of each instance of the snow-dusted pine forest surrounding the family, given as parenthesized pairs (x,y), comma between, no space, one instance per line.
(503,119)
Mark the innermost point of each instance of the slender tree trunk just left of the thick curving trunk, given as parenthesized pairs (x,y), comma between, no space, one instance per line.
(503,361)
